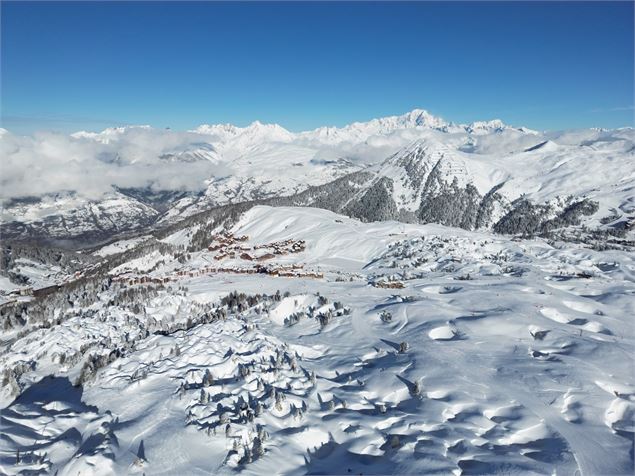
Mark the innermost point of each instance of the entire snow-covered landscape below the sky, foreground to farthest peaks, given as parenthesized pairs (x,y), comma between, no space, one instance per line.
(400,296)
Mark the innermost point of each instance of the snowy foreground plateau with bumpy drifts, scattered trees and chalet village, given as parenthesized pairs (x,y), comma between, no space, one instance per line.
(349,347)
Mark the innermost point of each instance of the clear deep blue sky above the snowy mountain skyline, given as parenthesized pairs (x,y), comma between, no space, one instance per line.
(90,65)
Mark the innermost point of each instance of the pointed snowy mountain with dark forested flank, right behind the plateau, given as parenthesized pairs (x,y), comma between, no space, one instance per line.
(515,186)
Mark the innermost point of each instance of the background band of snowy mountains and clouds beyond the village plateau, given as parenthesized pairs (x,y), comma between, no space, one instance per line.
(413,167)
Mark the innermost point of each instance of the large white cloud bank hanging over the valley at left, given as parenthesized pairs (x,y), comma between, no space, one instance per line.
(92,164)
